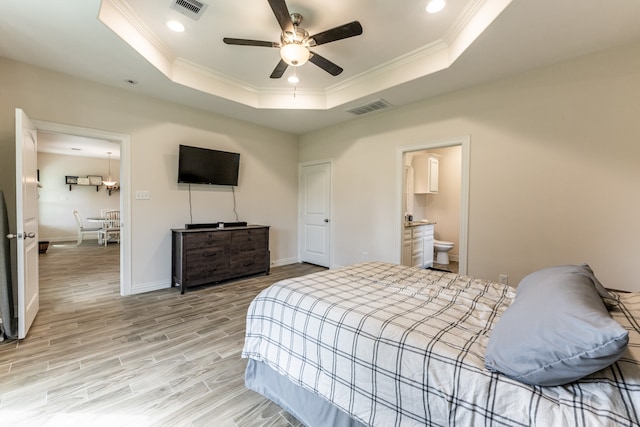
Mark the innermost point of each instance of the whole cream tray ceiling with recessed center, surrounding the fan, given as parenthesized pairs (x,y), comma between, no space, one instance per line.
(404,54)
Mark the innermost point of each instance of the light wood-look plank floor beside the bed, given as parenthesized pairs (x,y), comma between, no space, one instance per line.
(154,359)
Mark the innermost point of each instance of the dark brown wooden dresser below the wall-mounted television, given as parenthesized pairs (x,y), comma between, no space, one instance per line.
(210,255)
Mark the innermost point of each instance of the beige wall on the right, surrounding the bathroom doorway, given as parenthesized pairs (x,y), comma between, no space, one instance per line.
(554,170)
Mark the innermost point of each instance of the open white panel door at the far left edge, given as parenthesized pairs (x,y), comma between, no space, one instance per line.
(27,222)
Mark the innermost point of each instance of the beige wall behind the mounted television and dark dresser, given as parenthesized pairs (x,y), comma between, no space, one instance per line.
(268,164)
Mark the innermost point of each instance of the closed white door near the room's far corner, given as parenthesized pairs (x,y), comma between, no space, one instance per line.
(315,208)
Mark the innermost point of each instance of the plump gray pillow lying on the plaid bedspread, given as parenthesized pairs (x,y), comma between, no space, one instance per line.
(557,330)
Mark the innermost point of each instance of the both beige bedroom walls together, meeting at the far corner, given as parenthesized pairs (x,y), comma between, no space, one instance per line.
(554,174)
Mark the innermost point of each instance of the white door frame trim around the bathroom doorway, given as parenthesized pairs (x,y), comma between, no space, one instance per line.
(465,142)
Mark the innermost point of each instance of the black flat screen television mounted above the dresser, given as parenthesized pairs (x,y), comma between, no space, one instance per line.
(206,166)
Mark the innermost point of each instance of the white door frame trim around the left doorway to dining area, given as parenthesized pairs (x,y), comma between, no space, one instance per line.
(125,188)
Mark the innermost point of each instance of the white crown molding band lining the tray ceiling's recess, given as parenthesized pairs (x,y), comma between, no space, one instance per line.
(118,16)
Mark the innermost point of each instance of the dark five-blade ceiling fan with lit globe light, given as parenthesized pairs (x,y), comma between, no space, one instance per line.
(295,41)
